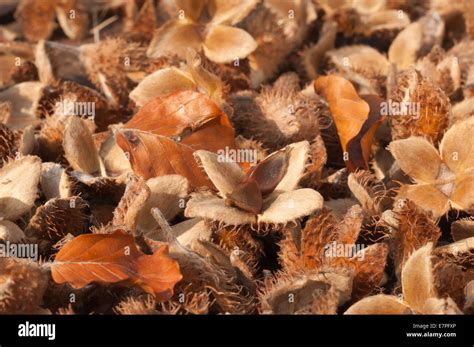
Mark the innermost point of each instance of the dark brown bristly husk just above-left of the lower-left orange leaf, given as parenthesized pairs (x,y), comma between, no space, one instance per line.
(57,218)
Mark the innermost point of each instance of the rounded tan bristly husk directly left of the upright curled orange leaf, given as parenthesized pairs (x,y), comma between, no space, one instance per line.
(279,115)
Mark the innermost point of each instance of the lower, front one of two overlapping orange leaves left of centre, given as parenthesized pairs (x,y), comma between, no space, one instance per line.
(153,155)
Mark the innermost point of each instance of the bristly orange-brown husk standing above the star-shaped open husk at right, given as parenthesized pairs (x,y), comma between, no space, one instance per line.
(434,108)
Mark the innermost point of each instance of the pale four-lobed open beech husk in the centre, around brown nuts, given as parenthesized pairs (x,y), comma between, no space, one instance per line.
(284,204)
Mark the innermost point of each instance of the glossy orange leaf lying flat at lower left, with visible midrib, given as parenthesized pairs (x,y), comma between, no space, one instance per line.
(115,258)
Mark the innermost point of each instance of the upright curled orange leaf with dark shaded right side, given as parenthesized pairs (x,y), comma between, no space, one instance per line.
(356,118)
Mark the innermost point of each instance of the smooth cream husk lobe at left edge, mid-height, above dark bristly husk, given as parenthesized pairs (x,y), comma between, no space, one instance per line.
(18,196)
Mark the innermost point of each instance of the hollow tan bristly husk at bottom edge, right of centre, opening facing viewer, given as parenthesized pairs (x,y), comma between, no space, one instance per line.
(304,293)
